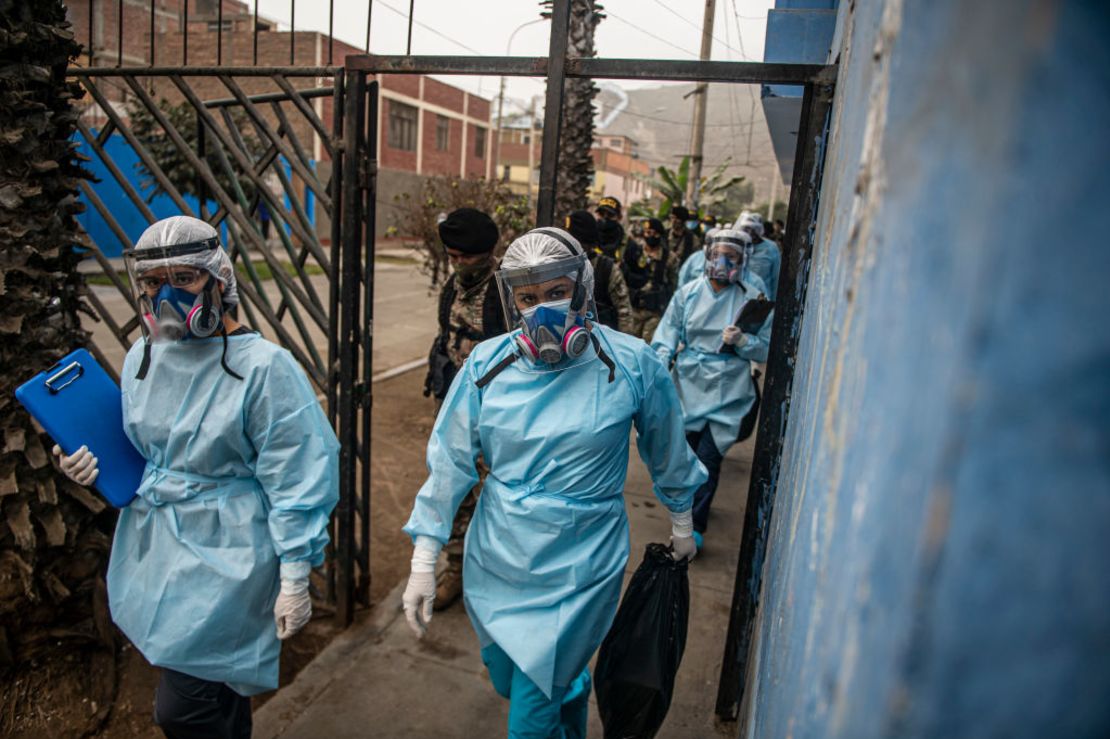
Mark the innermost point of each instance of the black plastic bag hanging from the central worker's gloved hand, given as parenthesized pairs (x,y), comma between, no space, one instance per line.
(639,661)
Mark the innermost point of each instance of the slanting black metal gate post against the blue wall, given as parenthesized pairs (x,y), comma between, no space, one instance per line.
(775,412)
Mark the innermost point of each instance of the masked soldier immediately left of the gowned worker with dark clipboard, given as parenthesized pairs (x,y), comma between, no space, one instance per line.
(651,271)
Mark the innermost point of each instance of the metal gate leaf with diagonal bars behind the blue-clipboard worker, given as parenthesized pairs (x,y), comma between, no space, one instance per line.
(259,154)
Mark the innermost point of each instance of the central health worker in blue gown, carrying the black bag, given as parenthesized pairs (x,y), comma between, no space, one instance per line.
(550,408)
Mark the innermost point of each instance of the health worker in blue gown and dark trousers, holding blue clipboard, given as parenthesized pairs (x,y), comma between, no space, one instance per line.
(211,561)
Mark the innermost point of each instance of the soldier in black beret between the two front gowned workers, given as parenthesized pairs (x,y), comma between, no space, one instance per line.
(470,312)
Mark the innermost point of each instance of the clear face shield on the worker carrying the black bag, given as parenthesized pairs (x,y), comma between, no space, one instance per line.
(551,305)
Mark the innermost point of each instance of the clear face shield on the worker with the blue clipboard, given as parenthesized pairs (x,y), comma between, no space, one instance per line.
(175,298)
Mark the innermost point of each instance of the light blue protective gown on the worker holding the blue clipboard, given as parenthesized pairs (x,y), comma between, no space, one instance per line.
(240,475)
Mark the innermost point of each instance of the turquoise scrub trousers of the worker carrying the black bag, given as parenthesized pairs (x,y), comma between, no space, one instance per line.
(532,715)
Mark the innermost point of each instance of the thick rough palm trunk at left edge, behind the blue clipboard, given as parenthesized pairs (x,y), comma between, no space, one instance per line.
(55,536)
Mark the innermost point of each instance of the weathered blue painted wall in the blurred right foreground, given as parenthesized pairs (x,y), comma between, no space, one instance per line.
(940,556)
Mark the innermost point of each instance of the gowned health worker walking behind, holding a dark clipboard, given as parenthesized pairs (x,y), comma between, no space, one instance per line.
(712,358)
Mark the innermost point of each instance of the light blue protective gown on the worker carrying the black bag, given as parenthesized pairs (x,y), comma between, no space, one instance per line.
(547,550)
